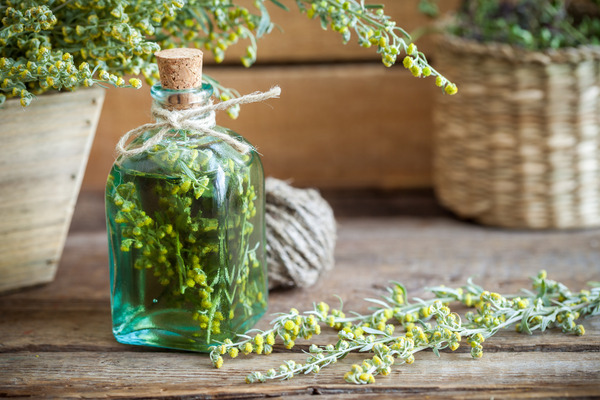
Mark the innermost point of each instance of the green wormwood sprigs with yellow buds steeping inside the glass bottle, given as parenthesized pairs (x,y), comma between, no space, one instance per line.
(174,230)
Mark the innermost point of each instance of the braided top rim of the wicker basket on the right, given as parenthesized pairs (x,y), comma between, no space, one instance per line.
(515,54)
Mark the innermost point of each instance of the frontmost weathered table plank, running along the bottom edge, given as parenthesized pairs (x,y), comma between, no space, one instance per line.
(158,374)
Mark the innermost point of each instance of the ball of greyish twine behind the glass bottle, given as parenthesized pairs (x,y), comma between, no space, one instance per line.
(301,235)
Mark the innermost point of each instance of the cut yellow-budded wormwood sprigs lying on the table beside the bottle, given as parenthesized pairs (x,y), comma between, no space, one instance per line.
(427,324)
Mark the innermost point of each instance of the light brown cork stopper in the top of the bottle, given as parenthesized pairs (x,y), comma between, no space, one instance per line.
(180,68)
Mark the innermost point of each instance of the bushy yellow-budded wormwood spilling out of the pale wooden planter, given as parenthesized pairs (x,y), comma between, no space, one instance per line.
(65,44)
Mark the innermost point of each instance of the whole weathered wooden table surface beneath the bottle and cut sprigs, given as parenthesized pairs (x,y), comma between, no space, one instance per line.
(56,339)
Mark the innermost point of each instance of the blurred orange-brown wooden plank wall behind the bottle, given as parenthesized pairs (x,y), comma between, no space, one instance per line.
(343,120)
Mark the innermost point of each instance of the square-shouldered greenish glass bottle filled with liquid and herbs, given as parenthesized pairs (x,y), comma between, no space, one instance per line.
(186,237)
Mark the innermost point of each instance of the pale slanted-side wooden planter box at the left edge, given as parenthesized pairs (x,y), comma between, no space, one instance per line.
(44,153)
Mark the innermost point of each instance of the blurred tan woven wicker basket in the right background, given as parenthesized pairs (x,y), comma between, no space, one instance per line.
(519,146)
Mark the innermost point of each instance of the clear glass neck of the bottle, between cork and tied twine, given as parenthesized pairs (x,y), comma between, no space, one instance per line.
(182,99)
